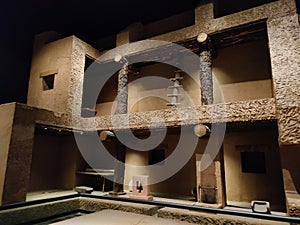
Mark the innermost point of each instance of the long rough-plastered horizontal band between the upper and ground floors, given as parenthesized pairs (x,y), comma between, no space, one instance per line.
(263,109)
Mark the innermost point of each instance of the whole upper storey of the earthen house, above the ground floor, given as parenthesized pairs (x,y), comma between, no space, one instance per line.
(255,58)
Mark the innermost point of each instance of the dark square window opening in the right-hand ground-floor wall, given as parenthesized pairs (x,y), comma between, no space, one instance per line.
(253,162)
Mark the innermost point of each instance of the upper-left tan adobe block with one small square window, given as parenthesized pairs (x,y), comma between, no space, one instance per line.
(65,58)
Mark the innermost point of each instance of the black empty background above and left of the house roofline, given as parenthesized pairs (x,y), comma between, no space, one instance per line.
(89,19)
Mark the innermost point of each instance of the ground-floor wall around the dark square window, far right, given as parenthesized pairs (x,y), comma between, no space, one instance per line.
(245,187)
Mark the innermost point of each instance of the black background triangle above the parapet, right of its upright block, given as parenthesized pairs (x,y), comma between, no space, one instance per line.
(223,8)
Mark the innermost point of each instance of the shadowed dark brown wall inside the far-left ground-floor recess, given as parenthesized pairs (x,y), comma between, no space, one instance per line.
(55,161)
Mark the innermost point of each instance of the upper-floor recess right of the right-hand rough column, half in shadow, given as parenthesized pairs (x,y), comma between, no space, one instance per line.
(242,72)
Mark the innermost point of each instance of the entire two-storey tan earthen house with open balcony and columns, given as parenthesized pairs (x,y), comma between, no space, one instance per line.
(249,68)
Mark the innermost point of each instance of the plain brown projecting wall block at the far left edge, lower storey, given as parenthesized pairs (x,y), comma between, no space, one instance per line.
(16,152)
